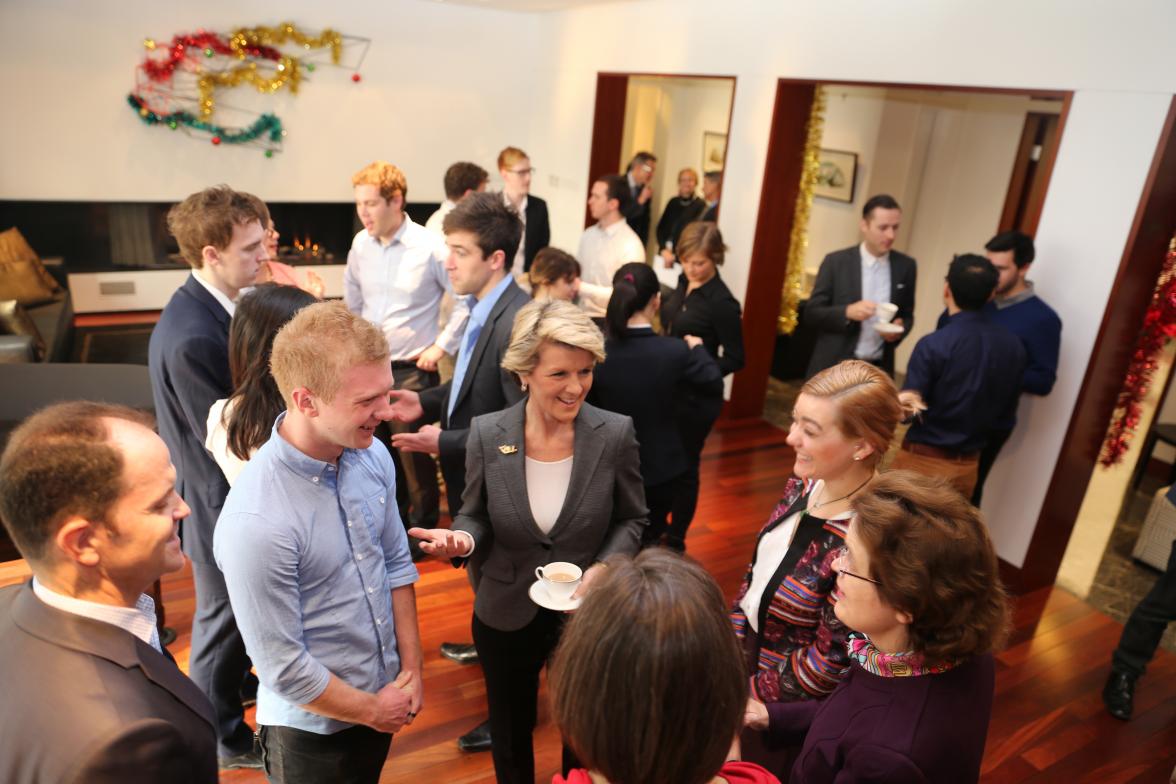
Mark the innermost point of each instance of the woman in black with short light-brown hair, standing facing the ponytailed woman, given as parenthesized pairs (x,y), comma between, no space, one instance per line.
(701,307)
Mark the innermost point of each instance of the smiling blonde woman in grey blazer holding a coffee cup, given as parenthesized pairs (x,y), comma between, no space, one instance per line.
(550,479)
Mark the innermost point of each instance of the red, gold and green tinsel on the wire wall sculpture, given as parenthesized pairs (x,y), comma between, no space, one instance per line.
(177,85)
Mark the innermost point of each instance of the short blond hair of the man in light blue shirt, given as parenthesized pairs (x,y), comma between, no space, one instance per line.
(319,345)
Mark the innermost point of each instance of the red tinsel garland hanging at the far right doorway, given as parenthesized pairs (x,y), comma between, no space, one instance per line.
(1159,329)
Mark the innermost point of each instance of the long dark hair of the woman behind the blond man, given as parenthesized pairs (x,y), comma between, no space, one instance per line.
(257,404)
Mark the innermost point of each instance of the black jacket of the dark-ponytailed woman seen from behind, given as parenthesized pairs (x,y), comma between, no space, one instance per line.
(642,379)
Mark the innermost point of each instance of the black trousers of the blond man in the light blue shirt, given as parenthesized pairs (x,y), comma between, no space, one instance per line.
(352,756)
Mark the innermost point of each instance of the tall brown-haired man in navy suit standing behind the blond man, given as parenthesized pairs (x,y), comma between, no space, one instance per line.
(222,236)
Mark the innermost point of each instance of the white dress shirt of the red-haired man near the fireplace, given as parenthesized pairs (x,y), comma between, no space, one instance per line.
(399,287)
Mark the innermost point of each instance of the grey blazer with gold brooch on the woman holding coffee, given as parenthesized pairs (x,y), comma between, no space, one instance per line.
(604,513)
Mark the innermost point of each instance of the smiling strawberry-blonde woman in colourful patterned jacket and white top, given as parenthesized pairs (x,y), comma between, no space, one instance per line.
(794,645)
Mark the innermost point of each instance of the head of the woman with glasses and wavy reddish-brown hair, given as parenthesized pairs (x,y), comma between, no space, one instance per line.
(920,568)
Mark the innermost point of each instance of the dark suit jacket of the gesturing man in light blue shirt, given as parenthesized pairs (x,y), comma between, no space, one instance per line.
(486,388)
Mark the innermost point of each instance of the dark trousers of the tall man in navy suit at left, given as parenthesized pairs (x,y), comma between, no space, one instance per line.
(218,662)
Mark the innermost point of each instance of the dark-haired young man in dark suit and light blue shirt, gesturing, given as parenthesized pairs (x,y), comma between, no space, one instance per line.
(483,236)
